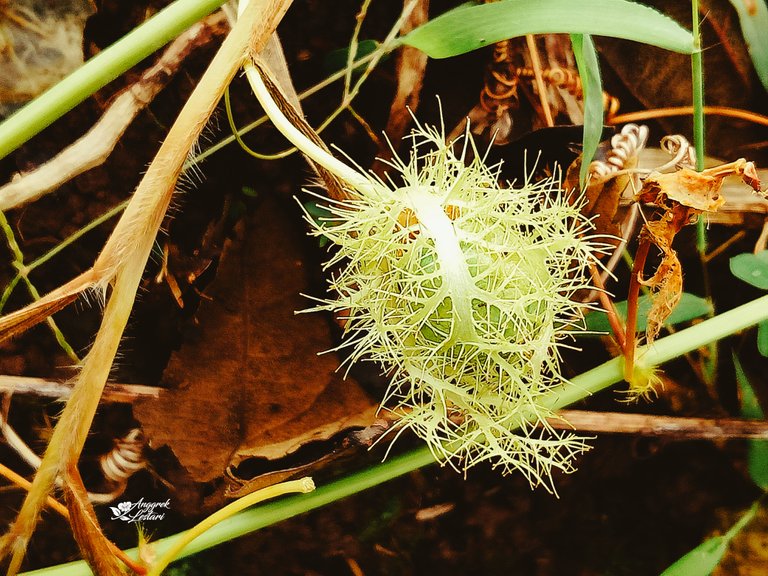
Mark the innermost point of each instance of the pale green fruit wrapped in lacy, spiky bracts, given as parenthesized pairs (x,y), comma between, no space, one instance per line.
(462,289)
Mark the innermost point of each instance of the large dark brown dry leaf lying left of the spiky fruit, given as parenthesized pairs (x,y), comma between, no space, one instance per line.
(248,382)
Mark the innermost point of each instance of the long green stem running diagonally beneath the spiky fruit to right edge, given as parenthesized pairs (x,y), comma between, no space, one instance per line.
(581,387)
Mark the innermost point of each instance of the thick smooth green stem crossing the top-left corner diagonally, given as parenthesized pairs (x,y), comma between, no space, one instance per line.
(100,70)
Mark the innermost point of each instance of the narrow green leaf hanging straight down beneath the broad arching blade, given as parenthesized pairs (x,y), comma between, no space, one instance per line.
(589,71)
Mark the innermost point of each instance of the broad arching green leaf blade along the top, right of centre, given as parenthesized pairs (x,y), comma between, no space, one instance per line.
(468,28)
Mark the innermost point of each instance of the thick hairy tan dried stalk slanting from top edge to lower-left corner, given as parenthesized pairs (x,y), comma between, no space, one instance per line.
(124,258)
